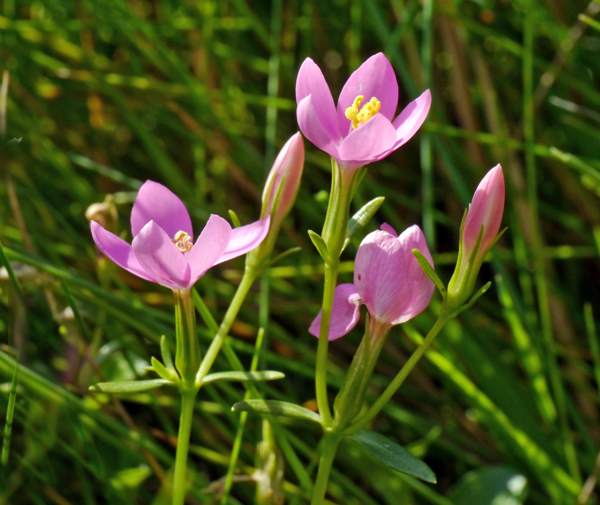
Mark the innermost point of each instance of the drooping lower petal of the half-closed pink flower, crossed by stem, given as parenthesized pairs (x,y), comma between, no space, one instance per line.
(345,313)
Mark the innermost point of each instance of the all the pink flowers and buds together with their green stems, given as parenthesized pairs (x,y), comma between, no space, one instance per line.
(394,276)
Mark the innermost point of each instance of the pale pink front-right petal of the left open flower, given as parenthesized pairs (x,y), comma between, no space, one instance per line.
(209,246)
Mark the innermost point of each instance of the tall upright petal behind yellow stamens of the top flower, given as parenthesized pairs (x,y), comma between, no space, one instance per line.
(374,78)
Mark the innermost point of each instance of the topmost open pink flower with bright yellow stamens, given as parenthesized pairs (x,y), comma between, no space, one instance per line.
(364,127)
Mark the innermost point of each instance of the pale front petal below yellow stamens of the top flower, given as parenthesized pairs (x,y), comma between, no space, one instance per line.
(368,142)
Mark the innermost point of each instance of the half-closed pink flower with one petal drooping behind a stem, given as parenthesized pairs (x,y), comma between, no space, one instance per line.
(387,279)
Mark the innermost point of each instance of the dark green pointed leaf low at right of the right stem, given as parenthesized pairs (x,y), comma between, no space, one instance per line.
(392,455)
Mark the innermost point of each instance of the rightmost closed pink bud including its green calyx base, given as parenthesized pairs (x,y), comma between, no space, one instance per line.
(479,231)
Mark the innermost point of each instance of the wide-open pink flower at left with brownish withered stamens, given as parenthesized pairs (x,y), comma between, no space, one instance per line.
(163,250)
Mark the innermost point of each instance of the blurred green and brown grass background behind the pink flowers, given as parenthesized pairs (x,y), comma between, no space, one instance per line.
(199,95)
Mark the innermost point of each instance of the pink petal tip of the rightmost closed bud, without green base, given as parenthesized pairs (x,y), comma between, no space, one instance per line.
(485,211)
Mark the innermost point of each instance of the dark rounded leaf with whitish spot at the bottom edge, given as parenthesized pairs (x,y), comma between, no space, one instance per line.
(496,485)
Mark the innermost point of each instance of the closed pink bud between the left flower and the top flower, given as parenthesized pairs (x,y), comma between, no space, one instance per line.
(283,181)
